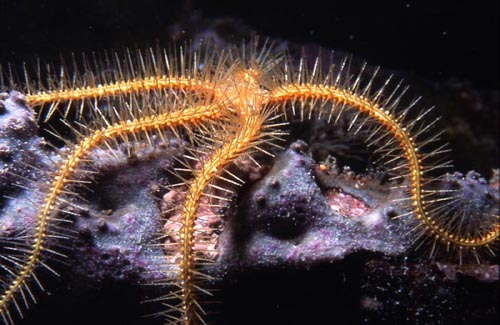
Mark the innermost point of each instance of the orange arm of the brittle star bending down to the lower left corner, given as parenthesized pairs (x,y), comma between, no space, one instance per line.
(189,117)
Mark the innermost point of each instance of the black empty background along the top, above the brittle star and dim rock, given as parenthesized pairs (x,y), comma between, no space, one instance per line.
(435,39)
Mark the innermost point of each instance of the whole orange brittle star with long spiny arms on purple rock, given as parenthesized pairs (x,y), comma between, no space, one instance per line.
(230,104)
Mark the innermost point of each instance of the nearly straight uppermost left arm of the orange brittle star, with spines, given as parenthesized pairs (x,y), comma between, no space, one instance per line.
(107,75)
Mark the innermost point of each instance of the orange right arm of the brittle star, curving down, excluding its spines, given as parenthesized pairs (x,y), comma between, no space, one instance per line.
(313,92)
